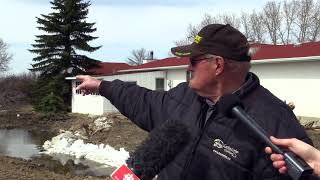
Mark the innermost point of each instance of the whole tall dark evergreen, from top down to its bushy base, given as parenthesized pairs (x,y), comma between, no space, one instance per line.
(66,31)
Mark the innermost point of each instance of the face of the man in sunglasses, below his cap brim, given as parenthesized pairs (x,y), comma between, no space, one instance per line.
(203,77)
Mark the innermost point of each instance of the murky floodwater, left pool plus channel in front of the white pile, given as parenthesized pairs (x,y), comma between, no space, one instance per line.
(28,145)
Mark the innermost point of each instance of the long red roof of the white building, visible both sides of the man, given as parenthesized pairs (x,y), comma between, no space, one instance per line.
(264,51)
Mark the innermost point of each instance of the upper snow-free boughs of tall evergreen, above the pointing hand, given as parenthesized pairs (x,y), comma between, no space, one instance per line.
(66,31)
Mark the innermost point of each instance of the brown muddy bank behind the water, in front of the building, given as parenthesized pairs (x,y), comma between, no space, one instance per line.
(122,134)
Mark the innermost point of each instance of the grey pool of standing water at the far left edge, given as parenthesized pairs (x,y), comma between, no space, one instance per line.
(18,143)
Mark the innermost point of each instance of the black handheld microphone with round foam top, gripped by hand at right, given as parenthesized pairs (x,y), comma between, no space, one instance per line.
(231,106)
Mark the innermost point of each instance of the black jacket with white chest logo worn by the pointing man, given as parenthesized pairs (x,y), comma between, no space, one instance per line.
(222,148)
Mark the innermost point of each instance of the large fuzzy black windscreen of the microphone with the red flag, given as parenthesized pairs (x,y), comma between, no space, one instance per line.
(159,149)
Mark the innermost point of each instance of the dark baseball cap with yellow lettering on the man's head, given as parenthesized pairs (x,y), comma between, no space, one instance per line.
(217,39)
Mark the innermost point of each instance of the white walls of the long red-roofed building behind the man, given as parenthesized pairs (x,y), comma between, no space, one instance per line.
(297,82)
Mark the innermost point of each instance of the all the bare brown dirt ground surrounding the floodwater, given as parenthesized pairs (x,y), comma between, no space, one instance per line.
(122,134)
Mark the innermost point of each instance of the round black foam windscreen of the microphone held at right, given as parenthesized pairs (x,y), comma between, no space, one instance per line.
(227,102)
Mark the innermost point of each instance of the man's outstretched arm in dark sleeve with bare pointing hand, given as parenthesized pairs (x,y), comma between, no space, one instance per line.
(144,107)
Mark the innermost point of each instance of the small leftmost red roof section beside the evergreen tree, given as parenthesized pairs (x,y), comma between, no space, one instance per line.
(109,68)
